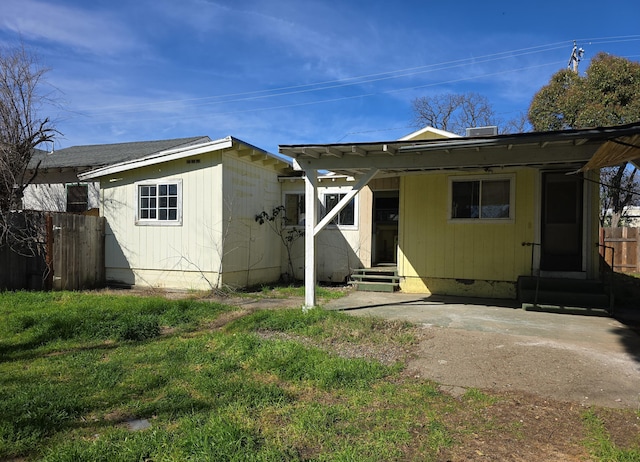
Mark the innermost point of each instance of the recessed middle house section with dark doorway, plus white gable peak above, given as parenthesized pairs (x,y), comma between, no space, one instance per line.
(365,232)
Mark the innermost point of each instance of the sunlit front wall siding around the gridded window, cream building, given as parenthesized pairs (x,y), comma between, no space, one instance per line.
(183,256)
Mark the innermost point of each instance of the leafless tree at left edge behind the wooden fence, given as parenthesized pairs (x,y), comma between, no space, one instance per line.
(22,130)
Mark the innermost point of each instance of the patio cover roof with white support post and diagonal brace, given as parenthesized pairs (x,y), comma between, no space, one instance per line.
(582,149)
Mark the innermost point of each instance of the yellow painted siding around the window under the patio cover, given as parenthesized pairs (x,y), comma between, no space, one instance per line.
(433,248)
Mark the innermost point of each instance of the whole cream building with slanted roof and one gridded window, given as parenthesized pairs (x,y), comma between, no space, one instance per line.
(185,217)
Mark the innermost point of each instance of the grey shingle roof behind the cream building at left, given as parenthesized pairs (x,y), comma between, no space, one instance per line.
(99,155)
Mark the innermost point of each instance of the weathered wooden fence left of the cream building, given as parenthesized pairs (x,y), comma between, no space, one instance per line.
(71,257)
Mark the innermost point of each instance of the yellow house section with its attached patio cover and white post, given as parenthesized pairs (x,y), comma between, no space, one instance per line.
(476,214)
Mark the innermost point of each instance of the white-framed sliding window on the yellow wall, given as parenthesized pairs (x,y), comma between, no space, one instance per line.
(481,199)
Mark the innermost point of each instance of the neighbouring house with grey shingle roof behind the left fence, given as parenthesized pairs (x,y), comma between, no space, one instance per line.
(56,187)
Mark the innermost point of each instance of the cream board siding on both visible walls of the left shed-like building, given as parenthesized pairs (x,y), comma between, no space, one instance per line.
(221,196)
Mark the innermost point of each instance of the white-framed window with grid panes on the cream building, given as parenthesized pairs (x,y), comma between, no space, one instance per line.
(159,203)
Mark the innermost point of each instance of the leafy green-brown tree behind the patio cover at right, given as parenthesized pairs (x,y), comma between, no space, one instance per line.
(607,95)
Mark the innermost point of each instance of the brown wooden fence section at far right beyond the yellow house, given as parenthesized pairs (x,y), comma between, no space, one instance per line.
(620,249)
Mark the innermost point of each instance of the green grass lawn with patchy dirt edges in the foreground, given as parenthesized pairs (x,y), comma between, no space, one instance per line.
(111,377)
